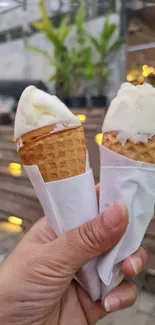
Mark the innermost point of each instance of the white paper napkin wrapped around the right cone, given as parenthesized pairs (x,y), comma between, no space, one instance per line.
(133,183)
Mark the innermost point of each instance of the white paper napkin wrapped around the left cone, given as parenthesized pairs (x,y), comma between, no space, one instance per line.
(67,204)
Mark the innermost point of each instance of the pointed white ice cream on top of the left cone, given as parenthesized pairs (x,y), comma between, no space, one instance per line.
(37,109)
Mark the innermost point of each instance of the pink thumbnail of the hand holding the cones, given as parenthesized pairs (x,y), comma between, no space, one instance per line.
(114,214)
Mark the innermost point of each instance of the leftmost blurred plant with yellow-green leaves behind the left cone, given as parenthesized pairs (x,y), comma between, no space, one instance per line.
(60,56)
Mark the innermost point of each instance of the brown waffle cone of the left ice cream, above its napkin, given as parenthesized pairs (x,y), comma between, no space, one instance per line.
(58,155)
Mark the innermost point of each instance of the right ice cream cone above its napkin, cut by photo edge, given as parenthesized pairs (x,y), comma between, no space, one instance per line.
(129,126)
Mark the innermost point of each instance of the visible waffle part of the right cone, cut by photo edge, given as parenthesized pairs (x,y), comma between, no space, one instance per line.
(137,151)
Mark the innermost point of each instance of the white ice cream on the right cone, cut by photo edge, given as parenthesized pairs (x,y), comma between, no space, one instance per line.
(132,112)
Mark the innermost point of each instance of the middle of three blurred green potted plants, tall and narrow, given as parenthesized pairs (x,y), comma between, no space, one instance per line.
(81,62)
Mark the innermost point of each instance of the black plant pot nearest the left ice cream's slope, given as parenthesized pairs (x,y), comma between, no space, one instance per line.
(75,101)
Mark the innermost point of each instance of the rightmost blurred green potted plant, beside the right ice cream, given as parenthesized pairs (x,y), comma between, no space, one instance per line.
(105,45)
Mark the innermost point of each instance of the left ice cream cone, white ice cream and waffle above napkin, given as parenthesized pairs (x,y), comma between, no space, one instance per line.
(49,135)
